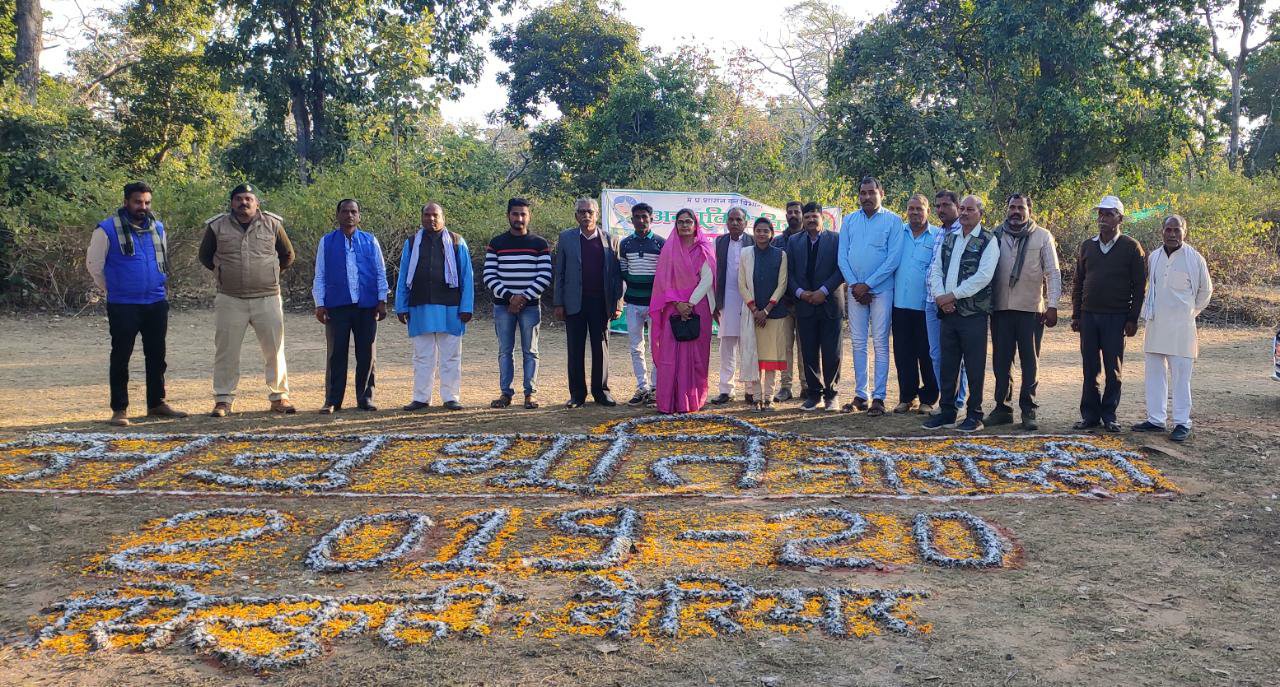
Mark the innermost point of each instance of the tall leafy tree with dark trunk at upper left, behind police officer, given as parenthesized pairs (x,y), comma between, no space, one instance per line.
(327,63)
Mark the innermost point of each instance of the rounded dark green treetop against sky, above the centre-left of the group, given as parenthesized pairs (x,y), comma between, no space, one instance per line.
(569,54)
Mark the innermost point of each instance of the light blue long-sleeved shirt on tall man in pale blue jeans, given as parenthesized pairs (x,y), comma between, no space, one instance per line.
(871,249)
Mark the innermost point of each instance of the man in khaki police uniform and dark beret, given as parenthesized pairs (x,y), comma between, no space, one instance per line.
(246,249)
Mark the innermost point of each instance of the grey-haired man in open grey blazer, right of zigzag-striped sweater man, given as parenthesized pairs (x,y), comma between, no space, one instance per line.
(588,295)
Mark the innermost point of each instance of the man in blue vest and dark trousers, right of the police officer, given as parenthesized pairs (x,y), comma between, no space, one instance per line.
(350,291)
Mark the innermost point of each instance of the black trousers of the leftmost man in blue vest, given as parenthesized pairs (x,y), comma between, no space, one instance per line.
(126,322)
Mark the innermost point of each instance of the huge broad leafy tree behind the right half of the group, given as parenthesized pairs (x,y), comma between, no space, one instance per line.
(1026,95)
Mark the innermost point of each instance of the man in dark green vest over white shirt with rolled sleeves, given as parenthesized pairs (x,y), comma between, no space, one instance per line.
(961,278)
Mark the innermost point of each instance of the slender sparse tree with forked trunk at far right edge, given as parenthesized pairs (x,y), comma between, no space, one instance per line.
(1250,19)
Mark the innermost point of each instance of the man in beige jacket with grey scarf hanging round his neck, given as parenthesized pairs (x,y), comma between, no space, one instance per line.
(1026,292)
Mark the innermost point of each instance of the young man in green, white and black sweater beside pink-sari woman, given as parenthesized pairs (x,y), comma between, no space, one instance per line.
(639,260)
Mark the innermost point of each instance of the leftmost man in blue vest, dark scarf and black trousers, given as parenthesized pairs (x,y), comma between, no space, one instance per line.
(127,259)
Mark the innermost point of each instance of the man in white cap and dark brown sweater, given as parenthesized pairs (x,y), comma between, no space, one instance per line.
(1107,299)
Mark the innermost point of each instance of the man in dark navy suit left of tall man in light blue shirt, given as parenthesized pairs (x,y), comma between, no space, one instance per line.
(816,281)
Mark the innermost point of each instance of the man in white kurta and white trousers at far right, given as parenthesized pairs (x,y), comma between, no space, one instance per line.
(1178,290)
